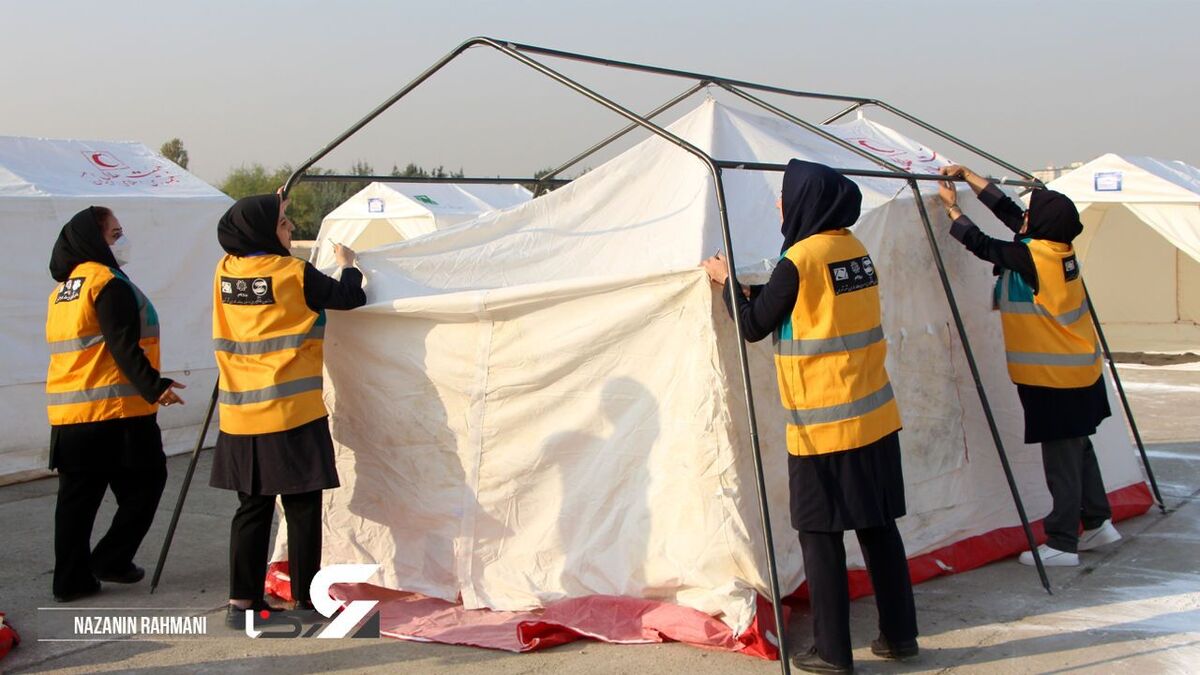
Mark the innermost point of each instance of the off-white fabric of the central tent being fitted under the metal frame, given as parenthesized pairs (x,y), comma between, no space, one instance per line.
(545,403)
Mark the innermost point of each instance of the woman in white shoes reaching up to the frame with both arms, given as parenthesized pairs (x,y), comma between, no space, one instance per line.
(1053,354)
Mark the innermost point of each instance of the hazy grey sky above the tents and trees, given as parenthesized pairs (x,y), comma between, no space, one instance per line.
(244,81)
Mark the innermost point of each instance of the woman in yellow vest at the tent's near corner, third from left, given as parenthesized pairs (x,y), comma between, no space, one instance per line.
(823,306)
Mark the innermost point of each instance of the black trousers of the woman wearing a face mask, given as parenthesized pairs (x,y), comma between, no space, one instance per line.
(137,492)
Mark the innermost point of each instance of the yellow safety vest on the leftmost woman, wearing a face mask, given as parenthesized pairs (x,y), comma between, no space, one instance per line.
(83,383)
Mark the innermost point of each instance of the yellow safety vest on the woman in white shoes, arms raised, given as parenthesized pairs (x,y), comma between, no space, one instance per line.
(1049,337)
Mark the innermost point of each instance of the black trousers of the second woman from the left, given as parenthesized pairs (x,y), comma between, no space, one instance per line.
(250,540)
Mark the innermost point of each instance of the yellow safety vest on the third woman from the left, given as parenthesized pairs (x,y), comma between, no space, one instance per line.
(830,355)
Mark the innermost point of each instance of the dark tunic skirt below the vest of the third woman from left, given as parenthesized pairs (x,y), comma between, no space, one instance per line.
(849,491)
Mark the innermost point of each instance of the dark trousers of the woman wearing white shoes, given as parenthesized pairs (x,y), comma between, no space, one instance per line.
(1077,488)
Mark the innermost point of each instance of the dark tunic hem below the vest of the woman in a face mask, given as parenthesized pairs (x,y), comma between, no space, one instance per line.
(131,443)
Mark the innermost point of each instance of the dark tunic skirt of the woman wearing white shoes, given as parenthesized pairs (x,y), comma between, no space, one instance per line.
(1055,415)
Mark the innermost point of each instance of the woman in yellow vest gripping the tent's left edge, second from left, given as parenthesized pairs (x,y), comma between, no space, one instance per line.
(268,333)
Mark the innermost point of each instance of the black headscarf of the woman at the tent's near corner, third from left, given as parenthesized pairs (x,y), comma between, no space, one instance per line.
(817,199)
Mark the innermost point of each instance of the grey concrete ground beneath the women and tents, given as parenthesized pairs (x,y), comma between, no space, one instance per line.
(1132,608)
